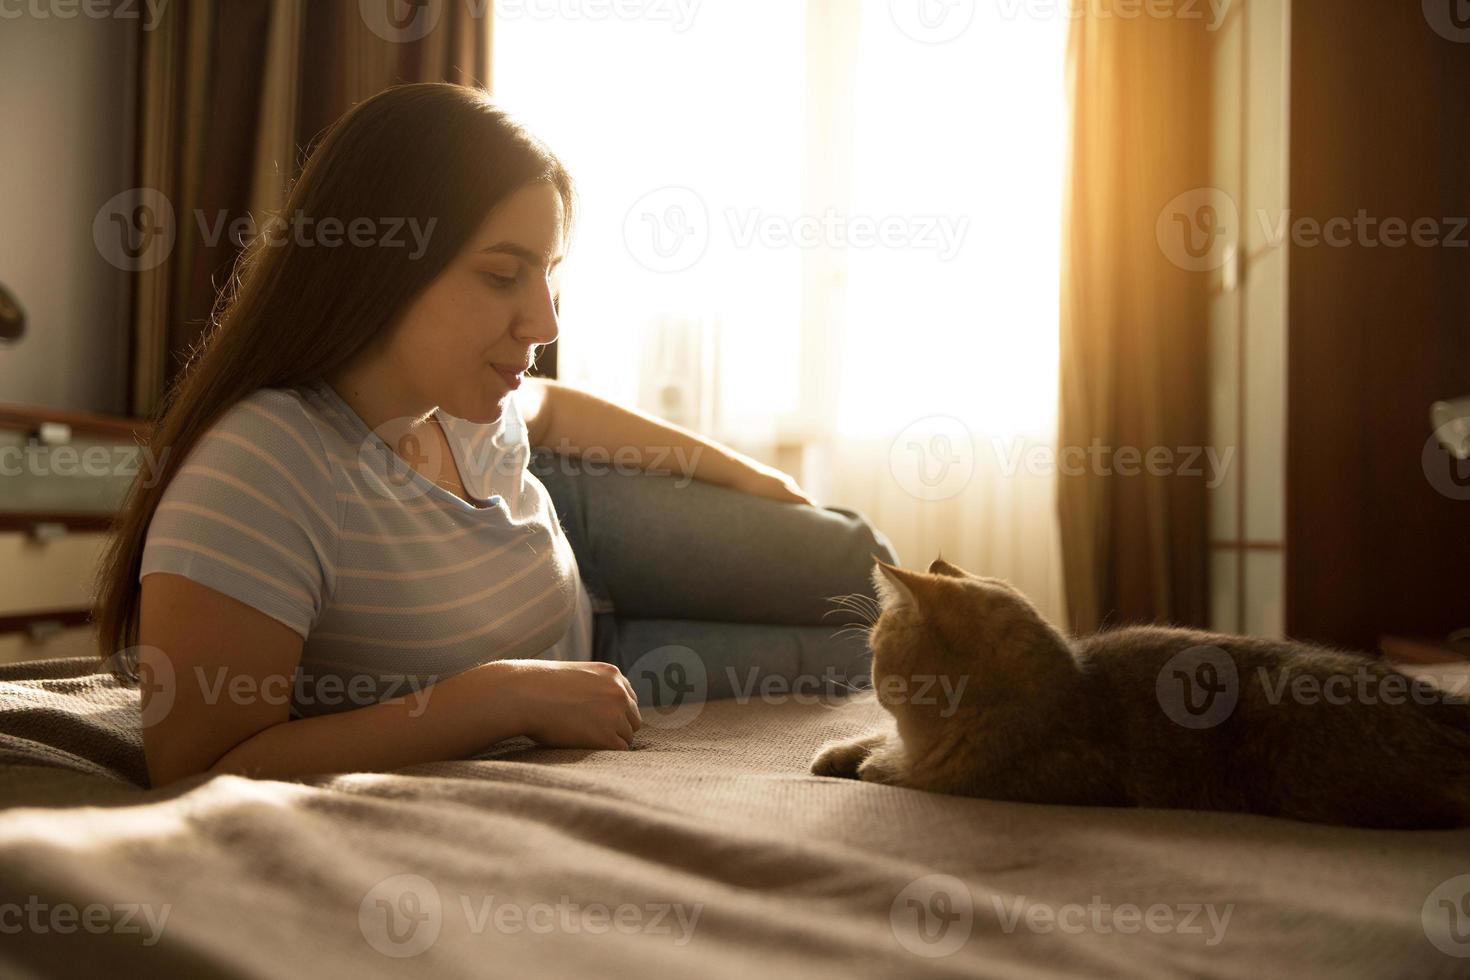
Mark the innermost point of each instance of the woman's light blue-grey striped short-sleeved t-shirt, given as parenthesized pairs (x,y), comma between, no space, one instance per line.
(293,506)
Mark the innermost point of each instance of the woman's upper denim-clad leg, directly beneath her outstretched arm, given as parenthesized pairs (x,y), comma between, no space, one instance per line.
(664,547)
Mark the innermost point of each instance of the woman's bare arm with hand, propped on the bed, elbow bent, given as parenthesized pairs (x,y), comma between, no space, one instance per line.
(218,675)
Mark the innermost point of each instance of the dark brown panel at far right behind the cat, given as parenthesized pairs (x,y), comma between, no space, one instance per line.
(1378,524)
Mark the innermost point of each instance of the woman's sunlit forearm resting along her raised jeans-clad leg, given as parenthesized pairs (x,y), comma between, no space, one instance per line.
(574,422)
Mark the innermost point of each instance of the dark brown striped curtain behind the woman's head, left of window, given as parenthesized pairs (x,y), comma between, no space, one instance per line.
(232,95)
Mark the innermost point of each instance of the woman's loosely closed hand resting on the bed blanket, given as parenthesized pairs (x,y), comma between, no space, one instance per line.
(574,705)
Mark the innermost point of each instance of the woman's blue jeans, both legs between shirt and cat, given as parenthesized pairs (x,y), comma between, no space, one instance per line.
(702,591)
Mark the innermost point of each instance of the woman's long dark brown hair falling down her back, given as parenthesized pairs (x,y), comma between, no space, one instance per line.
(433,154)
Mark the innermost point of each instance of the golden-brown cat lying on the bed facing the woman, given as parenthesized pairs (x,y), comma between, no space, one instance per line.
(989,700)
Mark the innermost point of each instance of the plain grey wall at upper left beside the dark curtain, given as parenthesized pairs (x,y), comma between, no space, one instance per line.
(65,117)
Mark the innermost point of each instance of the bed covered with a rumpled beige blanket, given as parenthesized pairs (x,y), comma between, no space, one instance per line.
(708,851)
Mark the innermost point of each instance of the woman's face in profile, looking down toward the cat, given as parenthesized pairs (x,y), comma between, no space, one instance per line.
(467,340)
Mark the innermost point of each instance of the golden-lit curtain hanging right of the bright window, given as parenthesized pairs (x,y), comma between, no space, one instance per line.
(1134,324)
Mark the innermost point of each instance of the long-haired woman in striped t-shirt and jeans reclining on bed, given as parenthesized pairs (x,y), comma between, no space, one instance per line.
(346,561)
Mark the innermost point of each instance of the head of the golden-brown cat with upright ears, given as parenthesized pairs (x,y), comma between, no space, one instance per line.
(949,631)
